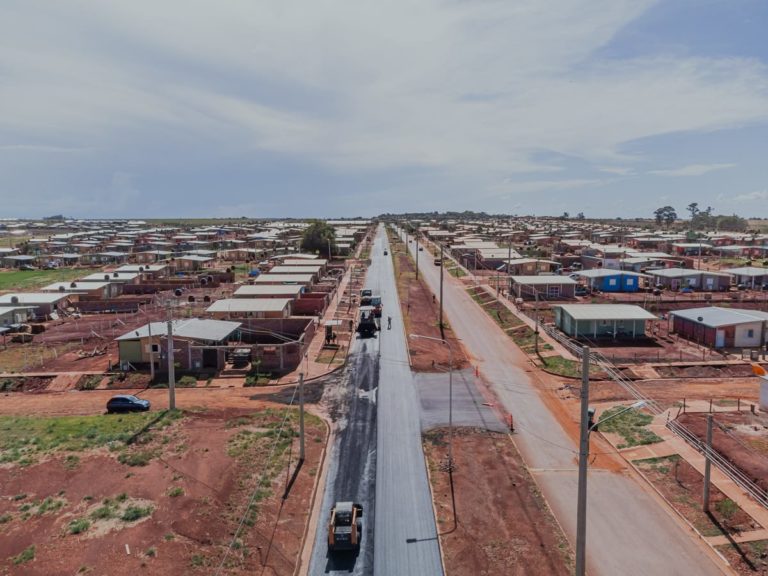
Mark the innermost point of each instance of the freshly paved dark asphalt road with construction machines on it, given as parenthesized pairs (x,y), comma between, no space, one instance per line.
(378,451)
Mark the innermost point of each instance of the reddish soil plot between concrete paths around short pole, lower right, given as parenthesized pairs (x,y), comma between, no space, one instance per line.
(683,486)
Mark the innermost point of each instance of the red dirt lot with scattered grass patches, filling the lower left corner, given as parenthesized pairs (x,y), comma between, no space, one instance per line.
(168,504)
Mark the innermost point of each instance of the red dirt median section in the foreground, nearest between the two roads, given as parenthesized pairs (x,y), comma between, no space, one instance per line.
(503,525)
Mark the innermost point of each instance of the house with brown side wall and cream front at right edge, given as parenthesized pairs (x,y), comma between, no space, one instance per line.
(717,327)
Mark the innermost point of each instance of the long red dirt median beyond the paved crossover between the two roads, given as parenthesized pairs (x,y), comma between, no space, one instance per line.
(421,313)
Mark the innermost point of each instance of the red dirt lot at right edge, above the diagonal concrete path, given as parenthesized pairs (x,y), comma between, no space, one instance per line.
(741,437)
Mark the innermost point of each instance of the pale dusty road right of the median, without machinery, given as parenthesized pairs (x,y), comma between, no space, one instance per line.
(628,532)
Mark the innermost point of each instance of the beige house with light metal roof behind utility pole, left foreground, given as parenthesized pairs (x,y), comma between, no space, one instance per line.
(197,344)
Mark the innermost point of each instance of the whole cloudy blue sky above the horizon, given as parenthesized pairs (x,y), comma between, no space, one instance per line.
(328,108)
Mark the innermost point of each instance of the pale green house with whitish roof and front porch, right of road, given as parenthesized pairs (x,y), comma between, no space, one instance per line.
(617,321)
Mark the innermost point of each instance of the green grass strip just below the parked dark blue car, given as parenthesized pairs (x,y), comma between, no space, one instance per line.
(23,437)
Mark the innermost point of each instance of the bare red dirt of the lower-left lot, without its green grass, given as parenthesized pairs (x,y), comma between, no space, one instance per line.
(188,533)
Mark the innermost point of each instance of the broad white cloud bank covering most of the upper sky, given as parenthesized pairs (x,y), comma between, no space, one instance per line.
(478,89)
